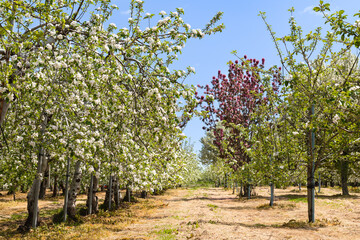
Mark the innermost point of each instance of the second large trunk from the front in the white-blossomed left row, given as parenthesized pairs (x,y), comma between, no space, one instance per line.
(74,190)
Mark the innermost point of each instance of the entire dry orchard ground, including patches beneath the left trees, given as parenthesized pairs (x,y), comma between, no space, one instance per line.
(206,213)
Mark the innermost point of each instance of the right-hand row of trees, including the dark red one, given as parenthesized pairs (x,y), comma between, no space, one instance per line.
(285,124)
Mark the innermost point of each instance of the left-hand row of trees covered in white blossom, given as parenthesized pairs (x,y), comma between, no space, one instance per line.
(80,95)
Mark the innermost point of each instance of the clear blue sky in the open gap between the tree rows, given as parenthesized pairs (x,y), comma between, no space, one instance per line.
(244,32)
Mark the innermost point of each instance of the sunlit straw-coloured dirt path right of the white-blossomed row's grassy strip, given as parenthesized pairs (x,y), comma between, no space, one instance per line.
(217,214)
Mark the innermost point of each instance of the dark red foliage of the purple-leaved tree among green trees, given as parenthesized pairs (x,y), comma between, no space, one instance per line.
(236,97)
